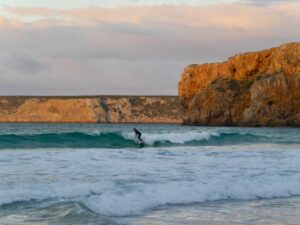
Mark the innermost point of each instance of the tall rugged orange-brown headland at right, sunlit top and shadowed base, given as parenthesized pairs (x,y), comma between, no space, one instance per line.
(252,89)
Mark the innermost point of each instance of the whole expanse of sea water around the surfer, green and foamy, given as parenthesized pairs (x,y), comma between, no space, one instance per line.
(100,174)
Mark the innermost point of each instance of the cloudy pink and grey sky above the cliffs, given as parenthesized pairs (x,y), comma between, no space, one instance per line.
(129,47)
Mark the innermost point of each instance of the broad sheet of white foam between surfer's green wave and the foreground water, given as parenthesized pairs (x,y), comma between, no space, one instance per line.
(129,181)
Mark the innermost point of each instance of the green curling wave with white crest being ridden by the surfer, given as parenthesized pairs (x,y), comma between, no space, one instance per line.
(126,139)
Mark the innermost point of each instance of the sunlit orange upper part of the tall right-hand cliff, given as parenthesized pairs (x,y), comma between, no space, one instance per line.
(285,58)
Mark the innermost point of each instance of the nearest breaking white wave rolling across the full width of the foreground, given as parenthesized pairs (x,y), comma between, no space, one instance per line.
(135,199)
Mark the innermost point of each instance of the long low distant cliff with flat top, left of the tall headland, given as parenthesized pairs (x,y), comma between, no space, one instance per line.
(102,109)
